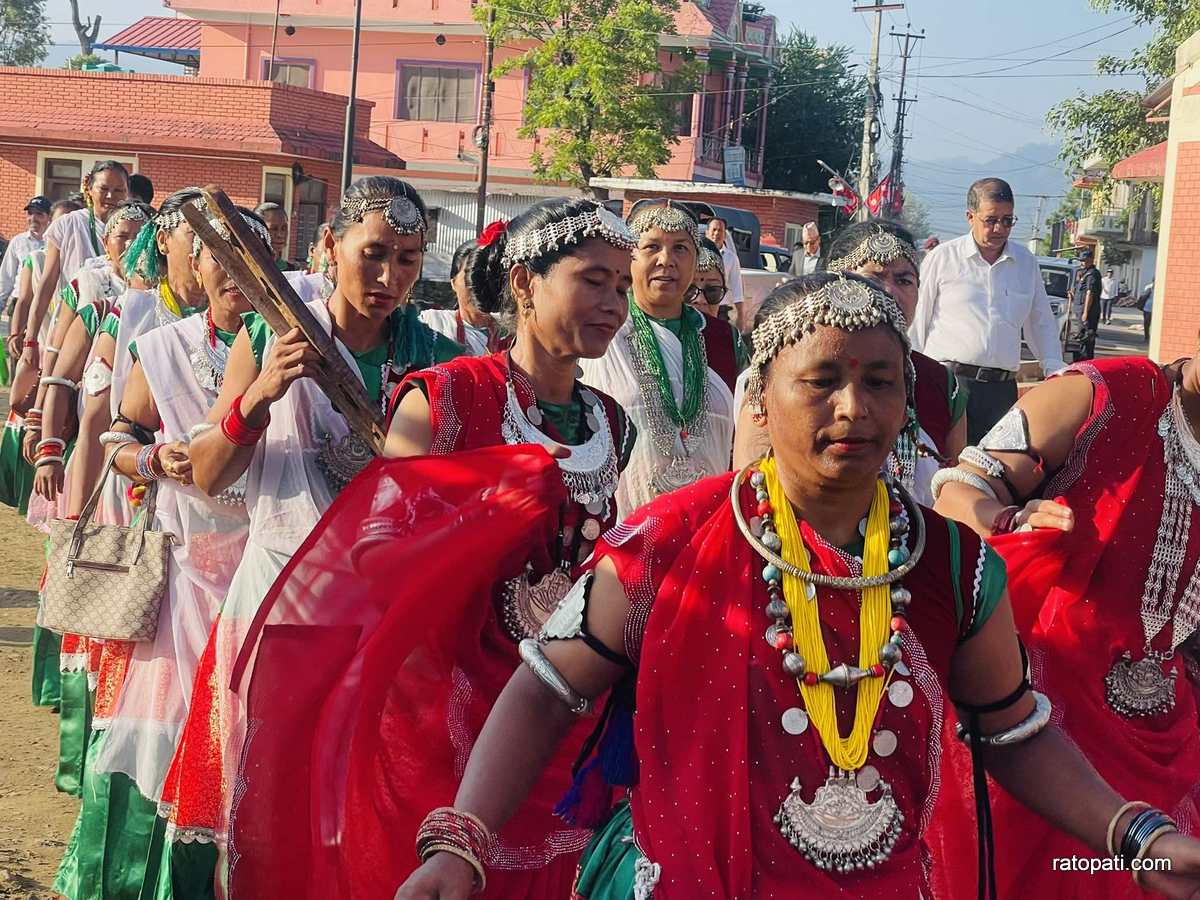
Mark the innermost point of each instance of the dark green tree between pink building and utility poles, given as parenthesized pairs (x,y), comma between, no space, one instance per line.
(817,113)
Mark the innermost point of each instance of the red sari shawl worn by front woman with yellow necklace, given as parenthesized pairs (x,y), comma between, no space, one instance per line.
(715,761)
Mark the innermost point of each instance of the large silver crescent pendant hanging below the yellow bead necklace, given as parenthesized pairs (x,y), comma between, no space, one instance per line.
(842,831)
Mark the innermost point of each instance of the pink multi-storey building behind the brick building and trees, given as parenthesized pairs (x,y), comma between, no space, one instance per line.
(422,68)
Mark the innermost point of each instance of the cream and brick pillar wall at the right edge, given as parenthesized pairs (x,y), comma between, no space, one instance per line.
(1177,319)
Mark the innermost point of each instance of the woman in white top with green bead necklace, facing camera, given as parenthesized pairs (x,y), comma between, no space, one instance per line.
(671,367)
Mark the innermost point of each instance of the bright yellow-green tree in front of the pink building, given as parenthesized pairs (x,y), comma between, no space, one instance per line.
(597,93)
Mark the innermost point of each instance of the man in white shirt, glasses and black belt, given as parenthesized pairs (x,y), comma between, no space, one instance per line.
(977,293)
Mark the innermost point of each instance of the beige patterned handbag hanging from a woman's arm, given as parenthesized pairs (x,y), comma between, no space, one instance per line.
(106,581)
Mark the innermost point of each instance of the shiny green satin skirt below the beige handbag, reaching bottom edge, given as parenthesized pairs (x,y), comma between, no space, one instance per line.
(117,847)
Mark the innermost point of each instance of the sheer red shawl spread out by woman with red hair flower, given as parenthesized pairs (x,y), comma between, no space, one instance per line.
(377,657)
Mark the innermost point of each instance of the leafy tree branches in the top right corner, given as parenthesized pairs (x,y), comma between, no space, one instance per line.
(1113,124)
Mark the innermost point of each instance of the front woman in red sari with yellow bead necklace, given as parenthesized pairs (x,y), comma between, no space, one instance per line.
(746,787)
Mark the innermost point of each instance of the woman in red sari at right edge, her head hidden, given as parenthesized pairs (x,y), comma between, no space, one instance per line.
(1088,488)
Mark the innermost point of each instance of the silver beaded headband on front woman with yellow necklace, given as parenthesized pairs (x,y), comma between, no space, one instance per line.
(844,304)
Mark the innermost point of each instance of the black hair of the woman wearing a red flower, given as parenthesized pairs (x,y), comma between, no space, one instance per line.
(488,279)
